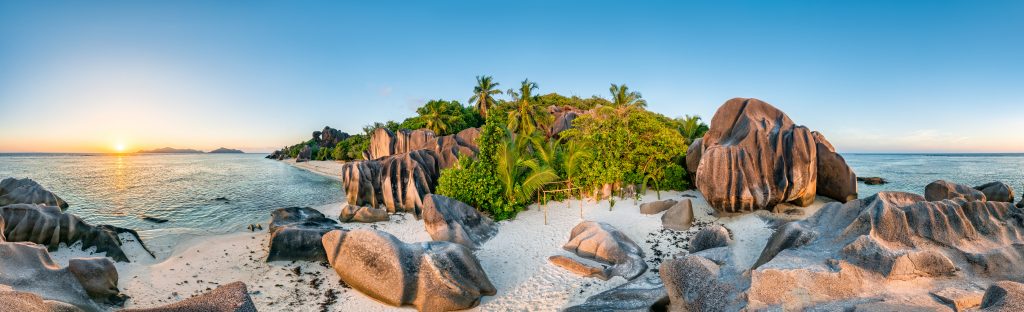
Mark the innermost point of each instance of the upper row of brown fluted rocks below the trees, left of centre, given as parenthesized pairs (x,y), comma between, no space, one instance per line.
(385,144)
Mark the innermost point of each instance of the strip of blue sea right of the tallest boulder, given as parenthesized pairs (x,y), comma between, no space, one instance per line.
(912,172)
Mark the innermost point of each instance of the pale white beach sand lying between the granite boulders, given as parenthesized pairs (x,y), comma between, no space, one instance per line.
(516,260)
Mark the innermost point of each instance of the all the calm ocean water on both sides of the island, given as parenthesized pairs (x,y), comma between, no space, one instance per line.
(202,195)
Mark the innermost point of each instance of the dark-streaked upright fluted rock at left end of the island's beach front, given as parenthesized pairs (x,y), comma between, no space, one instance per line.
(398,183)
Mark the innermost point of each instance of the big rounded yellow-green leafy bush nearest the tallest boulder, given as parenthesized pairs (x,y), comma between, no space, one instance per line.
(627,145)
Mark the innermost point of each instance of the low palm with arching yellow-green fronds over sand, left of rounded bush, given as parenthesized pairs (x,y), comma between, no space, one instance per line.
(521,174)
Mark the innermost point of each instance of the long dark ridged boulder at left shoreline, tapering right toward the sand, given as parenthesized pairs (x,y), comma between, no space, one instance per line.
(50,227)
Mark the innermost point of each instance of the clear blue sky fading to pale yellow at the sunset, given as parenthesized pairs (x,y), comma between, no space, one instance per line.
(873,76)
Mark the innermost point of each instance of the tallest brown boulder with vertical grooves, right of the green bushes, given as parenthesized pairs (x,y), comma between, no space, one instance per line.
(755,157)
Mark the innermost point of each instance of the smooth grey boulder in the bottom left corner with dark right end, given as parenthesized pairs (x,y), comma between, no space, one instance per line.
(28,268)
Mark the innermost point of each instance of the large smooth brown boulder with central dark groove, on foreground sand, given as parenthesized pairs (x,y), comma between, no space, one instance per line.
(432,277)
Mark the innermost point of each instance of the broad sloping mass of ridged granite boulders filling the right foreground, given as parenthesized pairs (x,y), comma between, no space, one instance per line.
(851,256)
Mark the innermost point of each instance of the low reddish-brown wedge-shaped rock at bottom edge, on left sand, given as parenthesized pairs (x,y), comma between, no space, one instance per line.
(228,298)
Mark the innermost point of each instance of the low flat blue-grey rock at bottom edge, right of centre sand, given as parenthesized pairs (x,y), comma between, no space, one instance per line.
(641,295)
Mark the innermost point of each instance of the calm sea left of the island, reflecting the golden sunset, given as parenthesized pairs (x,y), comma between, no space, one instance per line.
(183,189)
